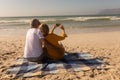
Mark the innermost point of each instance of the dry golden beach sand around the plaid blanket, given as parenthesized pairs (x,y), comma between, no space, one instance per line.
(104,45)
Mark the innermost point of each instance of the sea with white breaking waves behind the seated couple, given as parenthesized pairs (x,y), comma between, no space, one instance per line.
(72,23)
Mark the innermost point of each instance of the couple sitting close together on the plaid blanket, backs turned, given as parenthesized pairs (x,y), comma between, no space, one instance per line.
(42,44)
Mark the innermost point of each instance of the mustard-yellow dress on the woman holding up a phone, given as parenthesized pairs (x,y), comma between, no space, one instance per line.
(57,52)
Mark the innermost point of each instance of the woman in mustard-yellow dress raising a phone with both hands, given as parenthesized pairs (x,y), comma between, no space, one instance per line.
(56,52)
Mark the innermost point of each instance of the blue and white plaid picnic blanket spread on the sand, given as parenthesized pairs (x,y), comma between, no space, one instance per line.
(73,62)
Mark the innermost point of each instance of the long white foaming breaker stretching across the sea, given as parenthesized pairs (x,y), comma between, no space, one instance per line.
(63,19)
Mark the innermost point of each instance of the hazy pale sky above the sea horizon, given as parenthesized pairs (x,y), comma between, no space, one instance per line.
(55,7)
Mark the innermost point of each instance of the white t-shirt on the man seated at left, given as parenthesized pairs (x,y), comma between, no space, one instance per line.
(33,46)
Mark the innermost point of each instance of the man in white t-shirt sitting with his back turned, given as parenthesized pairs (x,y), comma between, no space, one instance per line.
(33,47)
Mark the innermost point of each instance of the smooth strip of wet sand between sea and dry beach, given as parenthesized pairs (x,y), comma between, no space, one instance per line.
(22,32)
